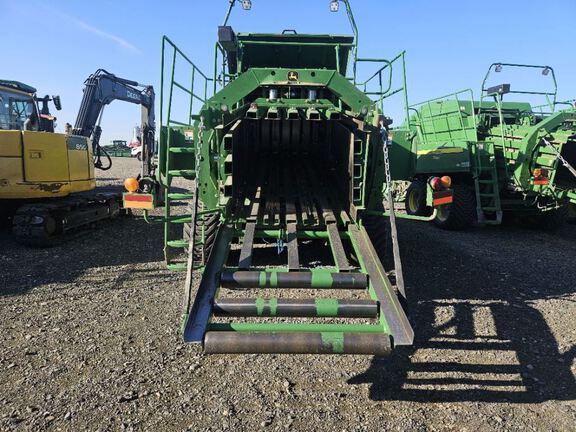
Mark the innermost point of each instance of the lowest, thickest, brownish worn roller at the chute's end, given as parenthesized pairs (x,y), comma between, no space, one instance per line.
(231,342)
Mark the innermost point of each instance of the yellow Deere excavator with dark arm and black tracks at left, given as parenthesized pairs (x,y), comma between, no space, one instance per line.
(47,179)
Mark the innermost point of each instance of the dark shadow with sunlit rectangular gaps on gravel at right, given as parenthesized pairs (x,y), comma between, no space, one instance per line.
(479,336)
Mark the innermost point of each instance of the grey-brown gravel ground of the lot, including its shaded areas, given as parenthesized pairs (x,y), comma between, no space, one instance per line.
(89,340)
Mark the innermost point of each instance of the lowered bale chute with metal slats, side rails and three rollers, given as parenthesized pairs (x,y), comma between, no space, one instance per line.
(288,202)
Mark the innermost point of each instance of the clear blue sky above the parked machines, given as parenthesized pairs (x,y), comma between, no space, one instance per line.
(54,45)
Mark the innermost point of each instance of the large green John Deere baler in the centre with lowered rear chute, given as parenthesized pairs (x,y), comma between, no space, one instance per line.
(281,167)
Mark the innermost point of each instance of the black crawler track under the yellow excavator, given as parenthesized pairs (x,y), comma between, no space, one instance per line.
(46,224)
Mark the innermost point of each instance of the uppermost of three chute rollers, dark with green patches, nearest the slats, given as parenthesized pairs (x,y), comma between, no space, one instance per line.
(311,279)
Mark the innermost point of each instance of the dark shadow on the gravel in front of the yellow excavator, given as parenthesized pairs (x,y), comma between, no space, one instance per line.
(121,242)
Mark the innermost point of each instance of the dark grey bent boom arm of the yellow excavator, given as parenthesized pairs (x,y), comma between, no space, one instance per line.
(101,88)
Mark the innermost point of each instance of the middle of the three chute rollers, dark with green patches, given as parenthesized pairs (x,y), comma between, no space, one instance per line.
(273,307)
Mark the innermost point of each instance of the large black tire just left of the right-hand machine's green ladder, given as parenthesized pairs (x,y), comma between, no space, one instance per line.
(461,213)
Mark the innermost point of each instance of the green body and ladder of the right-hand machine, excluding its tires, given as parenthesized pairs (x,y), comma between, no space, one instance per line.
(500,143)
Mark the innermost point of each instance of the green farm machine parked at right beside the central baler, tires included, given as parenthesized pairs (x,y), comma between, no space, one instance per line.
(503,157)
